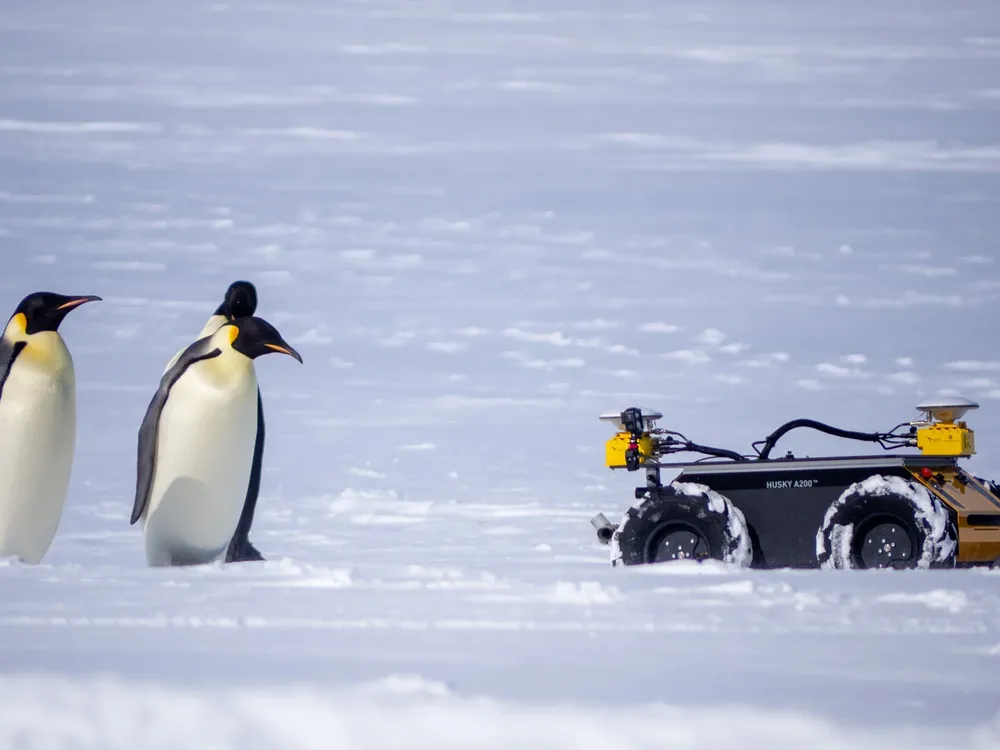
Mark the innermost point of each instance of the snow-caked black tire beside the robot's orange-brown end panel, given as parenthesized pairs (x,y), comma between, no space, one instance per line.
(887,522)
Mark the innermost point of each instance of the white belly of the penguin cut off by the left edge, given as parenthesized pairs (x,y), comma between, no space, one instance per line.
(37,438)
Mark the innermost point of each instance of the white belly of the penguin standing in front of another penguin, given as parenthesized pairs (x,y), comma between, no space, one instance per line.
(204,452)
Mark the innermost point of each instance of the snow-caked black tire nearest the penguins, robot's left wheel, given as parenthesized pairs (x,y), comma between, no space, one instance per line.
(682,521)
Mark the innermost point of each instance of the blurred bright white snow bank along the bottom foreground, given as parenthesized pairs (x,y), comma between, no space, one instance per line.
(52,713)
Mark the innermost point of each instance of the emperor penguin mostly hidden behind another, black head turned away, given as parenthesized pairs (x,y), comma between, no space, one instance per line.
(240,301)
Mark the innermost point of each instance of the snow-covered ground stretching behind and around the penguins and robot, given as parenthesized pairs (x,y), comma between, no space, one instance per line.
(483,225)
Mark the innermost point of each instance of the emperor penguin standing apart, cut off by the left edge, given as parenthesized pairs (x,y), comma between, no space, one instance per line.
(37,424)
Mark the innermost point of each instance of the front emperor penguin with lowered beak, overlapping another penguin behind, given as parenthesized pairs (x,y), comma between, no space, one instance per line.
(196,444)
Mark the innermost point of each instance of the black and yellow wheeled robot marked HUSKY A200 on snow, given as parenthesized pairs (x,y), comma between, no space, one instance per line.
(891,510)
